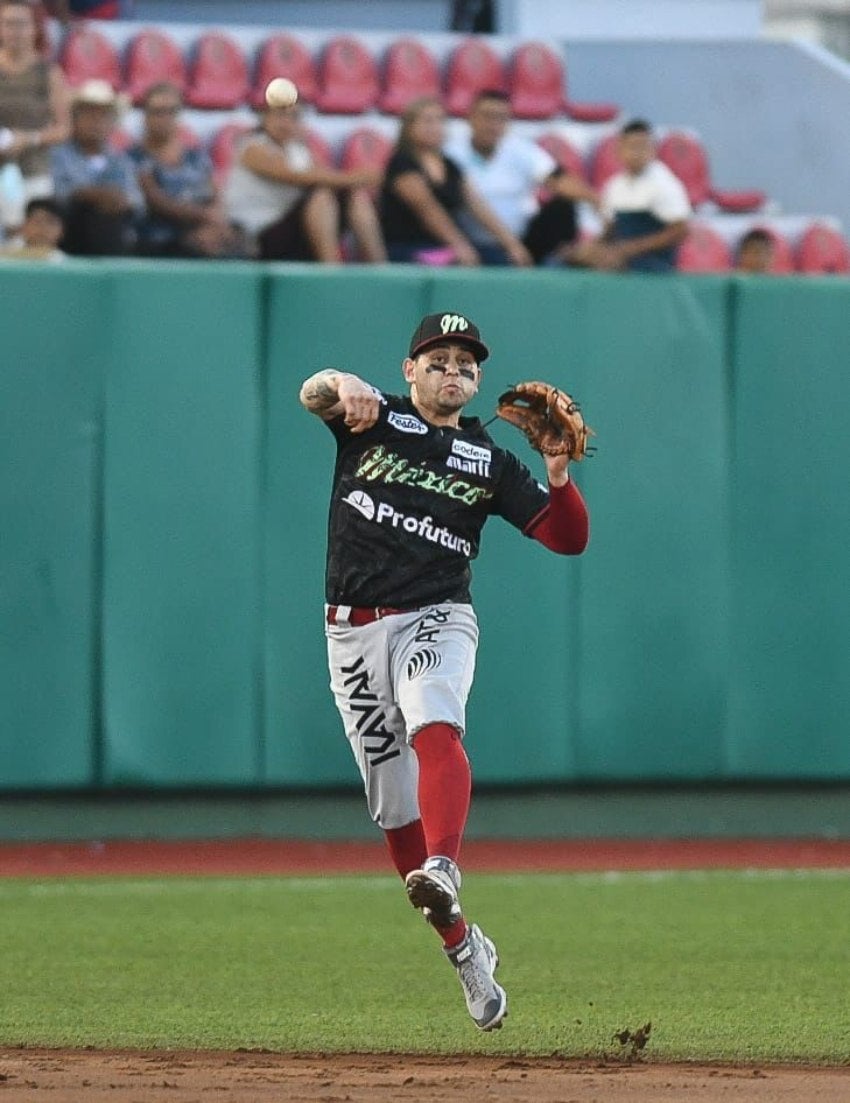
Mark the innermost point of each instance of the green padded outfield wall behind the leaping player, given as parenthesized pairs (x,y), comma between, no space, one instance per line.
(165,505)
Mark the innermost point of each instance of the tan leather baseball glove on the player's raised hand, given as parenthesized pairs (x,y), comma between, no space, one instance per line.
(550,417)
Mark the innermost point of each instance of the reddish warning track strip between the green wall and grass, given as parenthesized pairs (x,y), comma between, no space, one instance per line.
(282,858)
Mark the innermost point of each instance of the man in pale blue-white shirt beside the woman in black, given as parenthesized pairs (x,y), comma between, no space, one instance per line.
(509,172)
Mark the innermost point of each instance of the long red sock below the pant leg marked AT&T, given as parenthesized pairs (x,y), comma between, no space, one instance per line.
(445,788)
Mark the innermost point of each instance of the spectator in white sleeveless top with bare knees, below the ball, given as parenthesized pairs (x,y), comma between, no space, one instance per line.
(293,208)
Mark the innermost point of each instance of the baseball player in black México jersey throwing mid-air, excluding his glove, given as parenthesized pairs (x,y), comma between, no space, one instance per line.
(414,484)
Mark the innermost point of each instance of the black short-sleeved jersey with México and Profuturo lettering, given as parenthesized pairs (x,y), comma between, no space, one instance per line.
(408,505)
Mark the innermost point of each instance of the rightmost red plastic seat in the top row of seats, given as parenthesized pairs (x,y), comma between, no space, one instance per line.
(537,83)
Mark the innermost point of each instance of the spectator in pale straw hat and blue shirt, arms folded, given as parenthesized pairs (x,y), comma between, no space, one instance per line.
(96,185)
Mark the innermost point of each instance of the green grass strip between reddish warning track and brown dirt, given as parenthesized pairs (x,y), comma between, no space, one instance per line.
(726,966)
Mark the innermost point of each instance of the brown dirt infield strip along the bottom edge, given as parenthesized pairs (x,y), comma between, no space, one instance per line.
(80,1077)
